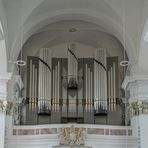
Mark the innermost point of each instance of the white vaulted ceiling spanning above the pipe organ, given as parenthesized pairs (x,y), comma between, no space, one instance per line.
(123,19)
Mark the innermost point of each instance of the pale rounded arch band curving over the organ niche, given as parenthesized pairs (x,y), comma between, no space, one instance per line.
(109,24)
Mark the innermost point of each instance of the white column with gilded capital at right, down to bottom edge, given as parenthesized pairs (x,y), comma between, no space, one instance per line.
(137,85)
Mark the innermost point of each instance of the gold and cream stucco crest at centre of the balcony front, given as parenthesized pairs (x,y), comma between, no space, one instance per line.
(72,136)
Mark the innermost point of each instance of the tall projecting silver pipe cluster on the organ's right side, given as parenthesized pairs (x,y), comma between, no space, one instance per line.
(100,96)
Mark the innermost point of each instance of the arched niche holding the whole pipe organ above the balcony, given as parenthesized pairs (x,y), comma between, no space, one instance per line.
(47,76)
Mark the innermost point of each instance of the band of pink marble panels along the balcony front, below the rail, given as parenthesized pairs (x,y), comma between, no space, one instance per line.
(77,130)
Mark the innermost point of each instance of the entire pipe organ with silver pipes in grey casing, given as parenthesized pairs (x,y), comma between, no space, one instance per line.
(73,87)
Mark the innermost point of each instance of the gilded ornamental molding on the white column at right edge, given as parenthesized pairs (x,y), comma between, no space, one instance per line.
(138,107)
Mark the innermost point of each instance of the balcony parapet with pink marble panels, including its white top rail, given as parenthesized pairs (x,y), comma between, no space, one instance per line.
(58,129)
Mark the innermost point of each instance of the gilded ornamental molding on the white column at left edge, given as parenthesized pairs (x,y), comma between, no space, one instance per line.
(7,107)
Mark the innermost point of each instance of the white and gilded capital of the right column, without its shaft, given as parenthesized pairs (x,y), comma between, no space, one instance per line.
(137,86)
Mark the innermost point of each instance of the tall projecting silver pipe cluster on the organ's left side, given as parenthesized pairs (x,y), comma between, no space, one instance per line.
(44,83)
